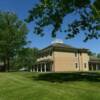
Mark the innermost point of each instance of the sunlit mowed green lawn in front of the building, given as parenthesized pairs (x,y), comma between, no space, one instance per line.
(30,86)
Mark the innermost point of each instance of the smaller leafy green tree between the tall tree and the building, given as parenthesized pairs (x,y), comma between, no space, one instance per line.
(26,58)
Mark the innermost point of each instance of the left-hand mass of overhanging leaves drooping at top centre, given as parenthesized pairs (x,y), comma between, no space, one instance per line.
(49,12)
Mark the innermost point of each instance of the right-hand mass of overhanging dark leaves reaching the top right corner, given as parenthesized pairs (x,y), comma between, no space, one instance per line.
(89,23)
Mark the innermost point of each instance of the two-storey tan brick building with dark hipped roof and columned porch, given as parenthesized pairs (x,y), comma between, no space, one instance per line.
(59,57)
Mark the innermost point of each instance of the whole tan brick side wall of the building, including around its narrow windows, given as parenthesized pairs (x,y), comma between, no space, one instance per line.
(66,61)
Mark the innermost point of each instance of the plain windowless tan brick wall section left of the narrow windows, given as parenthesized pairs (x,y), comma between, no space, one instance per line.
(64,61)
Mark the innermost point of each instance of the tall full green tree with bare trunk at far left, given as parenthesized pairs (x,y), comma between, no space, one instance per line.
(12,36)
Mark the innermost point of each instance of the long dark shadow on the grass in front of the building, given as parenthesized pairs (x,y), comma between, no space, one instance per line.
(65,77)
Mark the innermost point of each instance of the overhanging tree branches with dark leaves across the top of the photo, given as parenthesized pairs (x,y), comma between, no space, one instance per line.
(53,12)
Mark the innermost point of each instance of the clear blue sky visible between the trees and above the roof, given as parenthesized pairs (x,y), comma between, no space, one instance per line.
(21,7)
